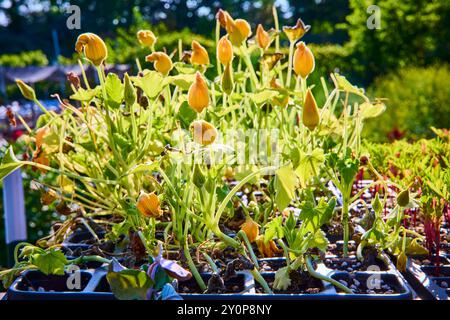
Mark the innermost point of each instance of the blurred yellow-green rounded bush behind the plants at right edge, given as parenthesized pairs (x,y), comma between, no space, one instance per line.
(417,99)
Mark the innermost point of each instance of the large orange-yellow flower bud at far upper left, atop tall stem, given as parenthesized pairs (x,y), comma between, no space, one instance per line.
(93,48)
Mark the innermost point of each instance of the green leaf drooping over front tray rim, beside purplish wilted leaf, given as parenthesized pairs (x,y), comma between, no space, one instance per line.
(129,284)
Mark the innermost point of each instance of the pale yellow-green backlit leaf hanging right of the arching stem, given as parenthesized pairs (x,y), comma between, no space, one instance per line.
(285,185)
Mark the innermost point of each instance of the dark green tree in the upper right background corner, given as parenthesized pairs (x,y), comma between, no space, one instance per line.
(413,33)
